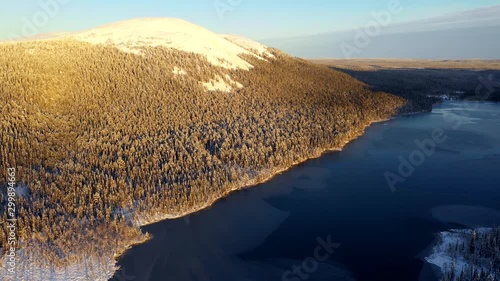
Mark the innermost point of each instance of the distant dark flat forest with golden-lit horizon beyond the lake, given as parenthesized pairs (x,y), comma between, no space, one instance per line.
(424,82)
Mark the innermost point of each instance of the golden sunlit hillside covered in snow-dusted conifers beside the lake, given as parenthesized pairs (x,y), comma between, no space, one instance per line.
(104,141)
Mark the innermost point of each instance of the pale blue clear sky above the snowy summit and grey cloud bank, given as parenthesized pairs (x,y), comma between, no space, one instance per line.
(256,19)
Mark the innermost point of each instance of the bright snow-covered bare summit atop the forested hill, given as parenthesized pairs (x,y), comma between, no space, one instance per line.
(178,34)
